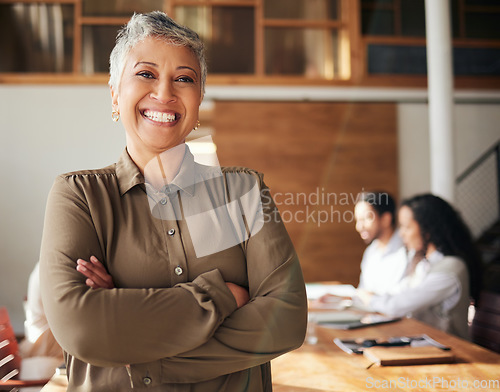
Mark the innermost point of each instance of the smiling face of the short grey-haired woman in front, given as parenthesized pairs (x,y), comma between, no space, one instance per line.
(158,97)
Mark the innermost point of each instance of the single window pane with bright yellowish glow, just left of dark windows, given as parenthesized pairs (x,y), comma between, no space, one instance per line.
(305,38)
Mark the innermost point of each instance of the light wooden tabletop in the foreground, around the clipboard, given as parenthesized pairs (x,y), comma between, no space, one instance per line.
(325,367)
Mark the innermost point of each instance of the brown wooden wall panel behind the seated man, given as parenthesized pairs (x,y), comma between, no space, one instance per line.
(316,158)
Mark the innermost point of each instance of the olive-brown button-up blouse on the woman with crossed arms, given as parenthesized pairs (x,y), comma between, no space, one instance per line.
(171,323)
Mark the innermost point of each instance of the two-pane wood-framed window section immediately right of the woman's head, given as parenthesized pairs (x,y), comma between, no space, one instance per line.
(271,38)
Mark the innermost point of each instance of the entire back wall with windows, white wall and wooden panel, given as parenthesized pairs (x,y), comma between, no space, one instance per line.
(325,97)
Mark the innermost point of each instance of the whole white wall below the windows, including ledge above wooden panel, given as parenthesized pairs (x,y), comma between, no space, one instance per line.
(48,130)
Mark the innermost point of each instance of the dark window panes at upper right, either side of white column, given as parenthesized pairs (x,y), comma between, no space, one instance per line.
(394,37)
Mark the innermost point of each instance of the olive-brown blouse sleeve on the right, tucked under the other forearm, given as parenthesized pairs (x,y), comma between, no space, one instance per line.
(272,323)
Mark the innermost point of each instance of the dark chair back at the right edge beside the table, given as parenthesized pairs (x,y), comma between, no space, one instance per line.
(485,328)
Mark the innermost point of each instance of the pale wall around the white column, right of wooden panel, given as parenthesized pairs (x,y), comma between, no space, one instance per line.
(476,129)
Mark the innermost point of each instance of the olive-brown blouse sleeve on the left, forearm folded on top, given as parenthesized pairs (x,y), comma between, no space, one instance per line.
(101,326)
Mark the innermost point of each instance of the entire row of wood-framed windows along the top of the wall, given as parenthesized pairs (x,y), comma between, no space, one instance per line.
(254,41)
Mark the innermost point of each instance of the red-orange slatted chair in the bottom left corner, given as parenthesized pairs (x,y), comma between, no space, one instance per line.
(10,360)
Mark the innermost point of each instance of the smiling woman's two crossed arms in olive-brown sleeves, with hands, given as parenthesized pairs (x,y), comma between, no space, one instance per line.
(215,338)
